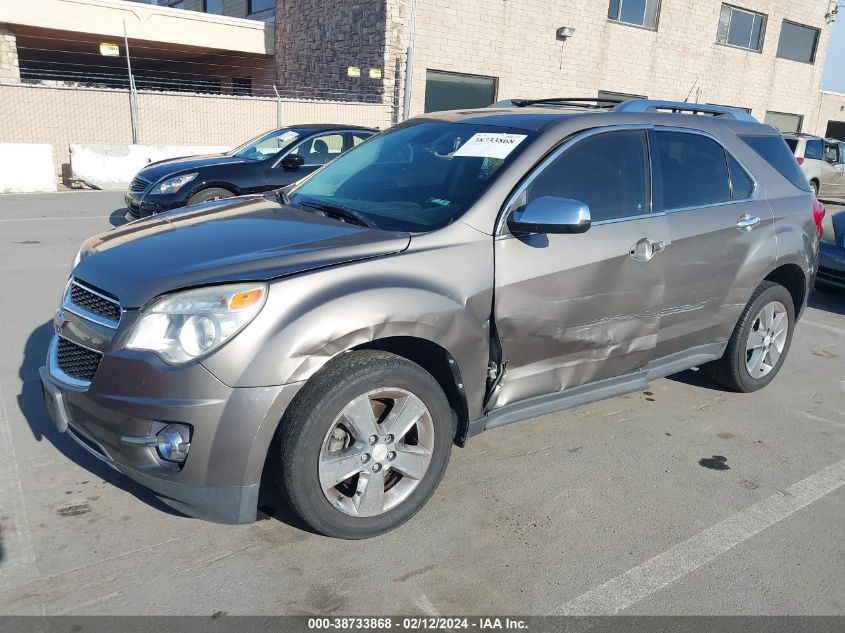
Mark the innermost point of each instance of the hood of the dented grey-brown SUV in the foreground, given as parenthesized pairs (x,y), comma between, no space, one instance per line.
(239,239)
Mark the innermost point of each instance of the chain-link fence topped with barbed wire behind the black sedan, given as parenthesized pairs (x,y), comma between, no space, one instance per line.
(65,92)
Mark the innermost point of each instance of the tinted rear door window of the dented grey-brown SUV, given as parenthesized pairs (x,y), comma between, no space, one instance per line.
(693,171)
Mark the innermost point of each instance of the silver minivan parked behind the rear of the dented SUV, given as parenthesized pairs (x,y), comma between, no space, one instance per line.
(822,161)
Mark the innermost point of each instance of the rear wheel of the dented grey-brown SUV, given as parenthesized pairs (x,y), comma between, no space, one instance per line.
(732,370)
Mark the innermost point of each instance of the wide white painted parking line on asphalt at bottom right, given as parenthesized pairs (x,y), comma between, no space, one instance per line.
(646,579)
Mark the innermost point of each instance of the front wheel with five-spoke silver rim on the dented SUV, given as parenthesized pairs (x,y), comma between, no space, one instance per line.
(333,414)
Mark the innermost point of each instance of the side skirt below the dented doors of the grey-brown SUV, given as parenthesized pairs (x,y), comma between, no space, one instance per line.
(600,390)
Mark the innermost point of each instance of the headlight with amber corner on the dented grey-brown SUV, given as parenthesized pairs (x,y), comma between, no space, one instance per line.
(186,325)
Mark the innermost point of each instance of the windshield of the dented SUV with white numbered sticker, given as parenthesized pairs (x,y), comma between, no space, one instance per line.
(417,177)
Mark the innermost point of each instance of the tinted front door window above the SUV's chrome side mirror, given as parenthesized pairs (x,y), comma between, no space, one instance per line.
(608,171)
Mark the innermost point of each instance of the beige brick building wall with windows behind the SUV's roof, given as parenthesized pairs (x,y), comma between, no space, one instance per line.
(514,41)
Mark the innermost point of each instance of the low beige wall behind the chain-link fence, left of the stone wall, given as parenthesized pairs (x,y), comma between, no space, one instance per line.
(62,116)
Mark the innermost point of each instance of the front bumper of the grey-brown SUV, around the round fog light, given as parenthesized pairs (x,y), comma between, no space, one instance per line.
(132,396)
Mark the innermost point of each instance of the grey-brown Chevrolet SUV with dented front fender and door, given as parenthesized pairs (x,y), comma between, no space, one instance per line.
(462,271)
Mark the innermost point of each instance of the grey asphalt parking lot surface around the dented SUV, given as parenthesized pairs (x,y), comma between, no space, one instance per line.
(683,499)
